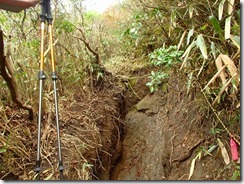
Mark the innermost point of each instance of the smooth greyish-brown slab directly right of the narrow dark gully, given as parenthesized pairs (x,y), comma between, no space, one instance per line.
(143,144)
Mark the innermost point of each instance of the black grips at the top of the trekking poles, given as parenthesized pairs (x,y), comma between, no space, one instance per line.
(46,11)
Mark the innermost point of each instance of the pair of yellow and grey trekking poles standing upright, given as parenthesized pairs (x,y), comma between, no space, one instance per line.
(47,17)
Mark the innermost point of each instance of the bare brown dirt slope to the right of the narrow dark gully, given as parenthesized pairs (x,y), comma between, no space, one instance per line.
(163,134)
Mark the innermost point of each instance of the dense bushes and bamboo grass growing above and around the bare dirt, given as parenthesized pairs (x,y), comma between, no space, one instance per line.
(198,38)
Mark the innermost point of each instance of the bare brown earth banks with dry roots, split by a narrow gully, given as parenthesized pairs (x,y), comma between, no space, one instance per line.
(113,132)
